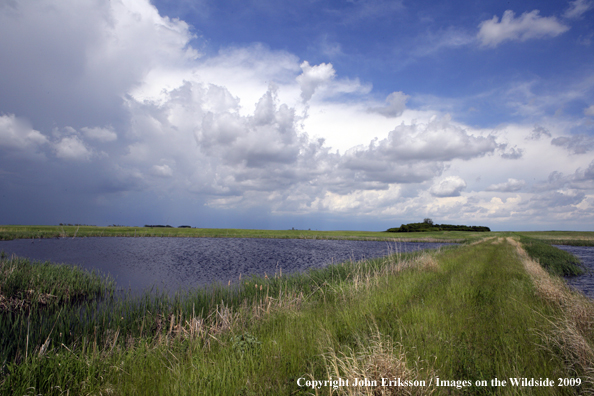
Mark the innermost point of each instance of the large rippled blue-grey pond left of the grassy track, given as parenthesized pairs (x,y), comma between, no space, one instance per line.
(180,263)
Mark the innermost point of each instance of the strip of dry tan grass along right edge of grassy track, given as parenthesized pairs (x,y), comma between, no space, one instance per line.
(572,336)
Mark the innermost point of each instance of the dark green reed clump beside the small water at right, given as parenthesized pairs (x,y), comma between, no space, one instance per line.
(554,260)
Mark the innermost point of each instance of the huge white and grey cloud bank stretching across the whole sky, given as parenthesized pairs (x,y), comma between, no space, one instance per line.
(137,110)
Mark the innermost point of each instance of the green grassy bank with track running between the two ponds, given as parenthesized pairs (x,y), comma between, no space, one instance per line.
(471,313)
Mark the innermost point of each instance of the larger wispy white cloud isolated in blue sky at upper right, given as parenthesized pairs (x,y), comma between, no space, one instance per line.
(530,25)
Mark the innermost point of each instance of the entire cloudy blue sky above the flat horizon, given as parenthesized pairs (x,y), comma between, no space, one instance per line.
(312,114)
